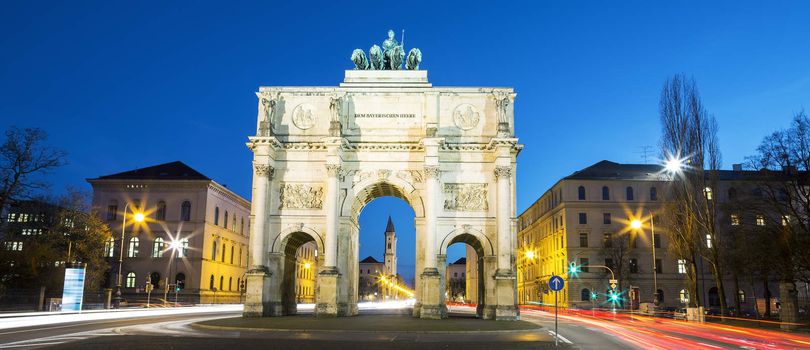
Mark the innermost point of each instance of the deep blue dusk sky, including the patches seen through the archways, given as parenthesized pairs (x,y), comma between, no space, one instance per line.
(121,85)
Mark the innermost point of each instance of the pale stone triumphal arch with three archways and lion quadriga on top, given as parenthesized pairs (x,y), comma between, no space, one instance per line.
(322,153)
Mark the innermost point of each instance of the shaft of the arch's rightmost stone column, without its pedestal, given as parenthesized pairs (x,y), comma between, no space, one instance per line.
(504,174)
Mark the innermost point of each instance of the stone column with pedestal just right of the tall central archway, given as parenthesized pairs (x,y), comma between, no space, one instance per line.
(432,289)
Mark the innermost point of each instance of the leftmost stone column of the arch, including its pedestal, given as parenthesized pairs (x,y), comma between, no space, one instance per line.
(258,295)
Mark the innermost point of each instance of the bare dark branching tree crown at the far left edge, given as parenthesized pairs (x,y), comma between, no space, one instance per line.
(24,155)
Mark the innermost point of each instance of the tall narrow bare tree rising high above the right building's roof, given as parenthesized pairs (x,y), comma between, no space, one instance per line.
(690,133)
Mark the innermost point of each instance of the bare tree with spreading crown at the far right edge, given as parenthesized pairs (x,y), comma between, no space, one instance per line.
(785,157)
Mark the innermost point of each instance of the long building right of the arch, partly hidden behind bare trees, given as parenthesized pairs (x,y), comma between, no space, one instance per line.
(587,219)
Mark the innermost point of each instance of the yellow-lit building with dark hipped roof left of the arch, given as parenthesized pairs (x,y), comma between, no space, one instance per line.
(192,237)
